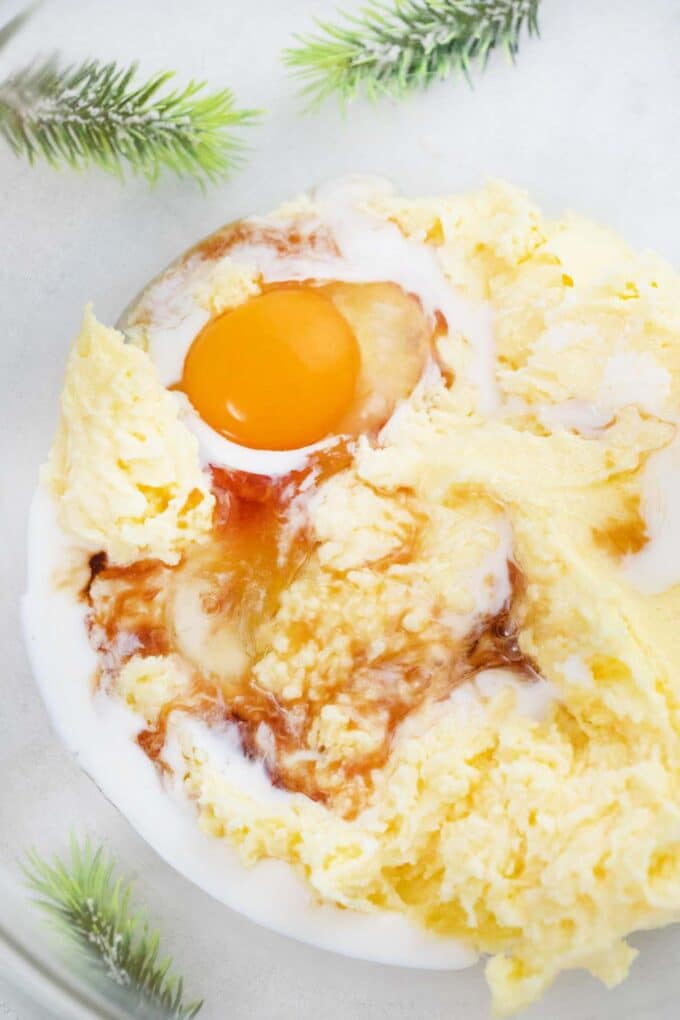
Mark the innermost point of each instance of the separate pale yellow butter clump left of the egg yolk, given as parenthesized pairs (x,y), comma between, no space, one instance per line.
(124,468)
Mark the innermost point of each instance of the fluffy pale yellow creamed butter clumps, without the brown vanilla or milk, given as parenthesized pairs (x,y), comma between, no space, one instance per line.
(542,840)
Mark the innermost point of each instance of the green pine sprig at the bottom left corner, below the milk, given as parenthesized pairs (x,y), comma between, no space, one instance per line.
(91,908)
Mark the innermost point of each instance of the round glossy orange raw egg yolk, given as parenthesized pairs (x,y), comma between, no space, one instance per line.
(278,373)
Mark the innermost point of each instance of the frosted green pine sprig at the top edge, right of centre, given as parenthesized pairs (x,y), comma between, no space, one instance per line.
(393,48)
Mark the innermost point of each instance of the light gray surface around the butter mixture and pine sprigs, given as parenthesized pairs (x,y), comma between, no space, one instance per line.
(589,120)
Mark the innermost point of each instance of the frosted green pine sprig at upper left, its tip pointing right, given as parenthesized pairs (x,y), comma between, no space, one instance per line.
(97,114)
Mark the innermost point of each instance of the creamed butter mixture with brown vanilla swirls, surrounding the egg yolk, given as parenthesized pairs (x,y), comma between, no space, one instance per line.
(461,673)
